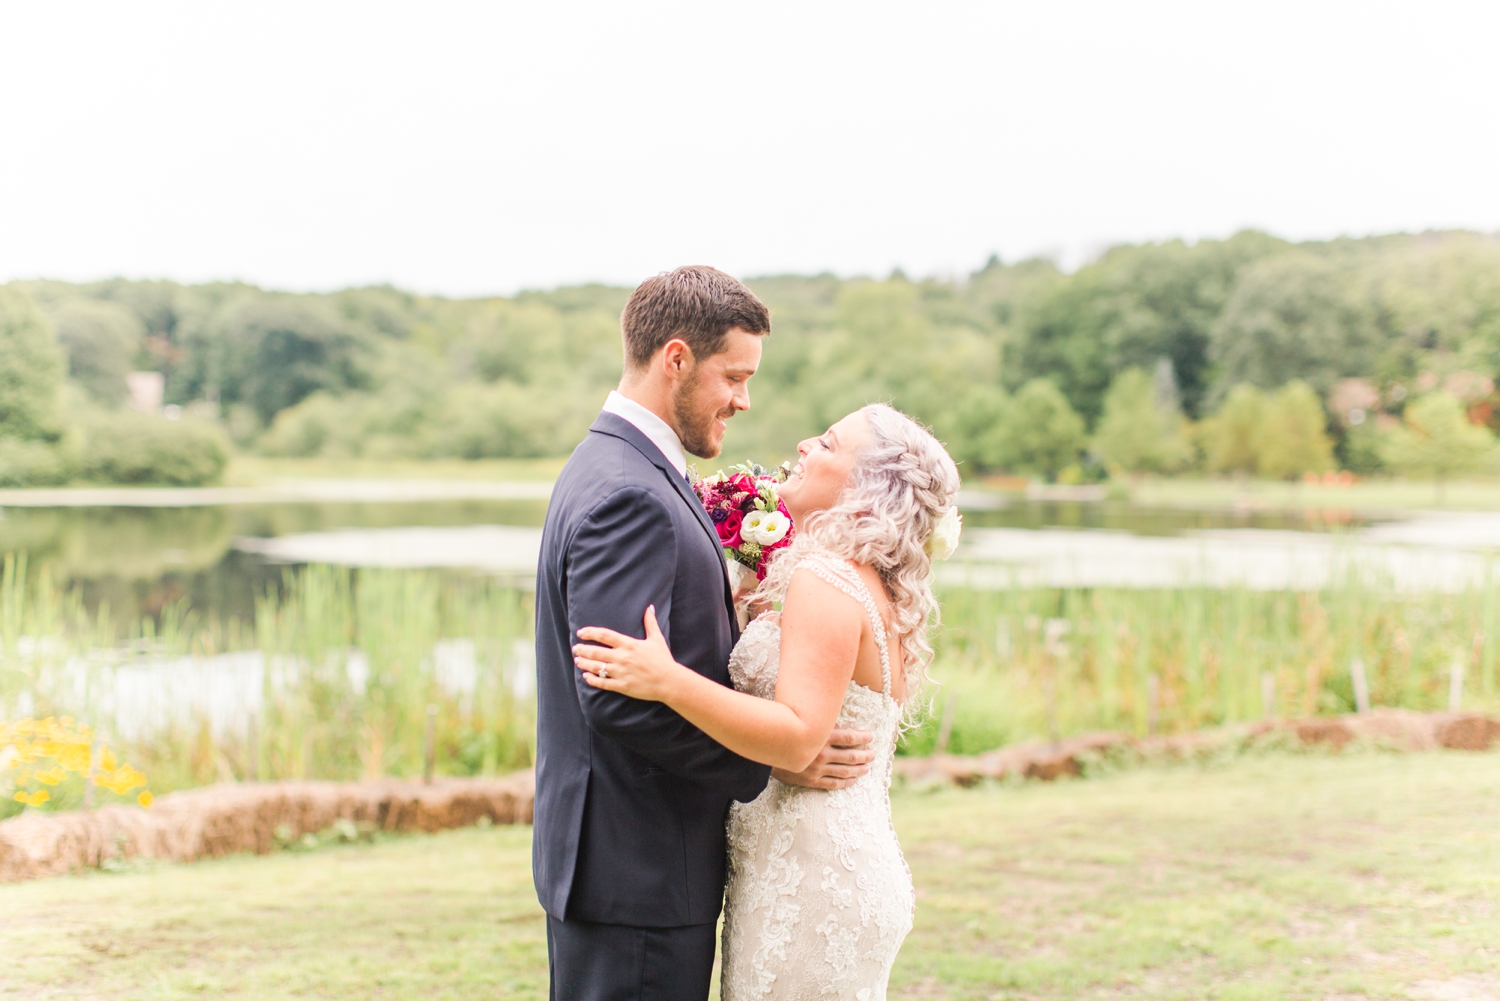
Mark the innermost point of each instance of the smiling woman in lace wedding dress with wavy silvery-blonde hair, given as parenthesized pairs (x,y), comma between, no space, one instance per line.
(820,897)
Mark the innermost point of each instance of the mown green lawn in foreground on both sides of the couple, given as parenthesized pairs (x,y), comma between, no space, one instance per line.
(1280,877)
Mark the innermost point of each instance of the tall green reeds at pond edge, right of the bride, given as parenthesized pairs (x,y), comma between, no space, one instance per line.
(1036,664)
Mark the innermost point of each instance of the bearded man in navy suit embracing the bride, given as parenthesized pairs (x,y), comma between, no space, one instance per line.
(632,799)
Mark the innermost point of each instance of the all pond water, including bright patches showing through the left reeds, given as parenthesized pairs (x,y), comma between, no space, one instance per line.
(221,552)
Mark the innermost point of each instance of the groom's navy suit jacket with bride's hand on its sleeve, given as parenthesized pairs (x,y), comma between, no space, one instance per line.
(632,799)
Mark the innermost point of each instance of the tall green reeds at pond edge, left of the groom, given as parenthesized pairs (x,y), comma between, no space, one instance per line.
(335,678)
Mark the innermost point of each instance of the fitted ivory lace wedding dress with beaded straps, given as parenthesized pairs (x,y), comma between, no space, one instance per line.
(820,897)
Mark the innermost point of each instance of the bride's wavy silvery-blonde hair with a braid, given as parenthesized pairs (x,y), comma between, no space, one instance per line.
(898,491)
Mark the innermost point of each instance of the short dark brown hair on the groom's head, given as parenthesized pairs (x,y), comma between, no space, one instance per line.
(698,304)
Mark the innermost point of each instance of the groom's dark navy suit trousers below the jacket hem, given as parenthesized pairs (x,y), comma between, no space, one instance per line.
(619,963)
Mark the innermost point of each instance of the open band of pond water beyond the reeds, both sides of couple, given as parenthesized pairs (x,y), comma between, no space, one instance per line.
(220,550)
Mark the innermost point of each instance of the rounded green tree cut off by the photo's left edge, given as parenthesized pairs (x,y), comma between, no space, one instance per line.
(31,371)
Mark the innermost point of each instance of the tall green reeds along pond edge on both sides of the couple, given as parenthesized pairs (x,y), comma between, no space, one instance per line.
(335,676)
